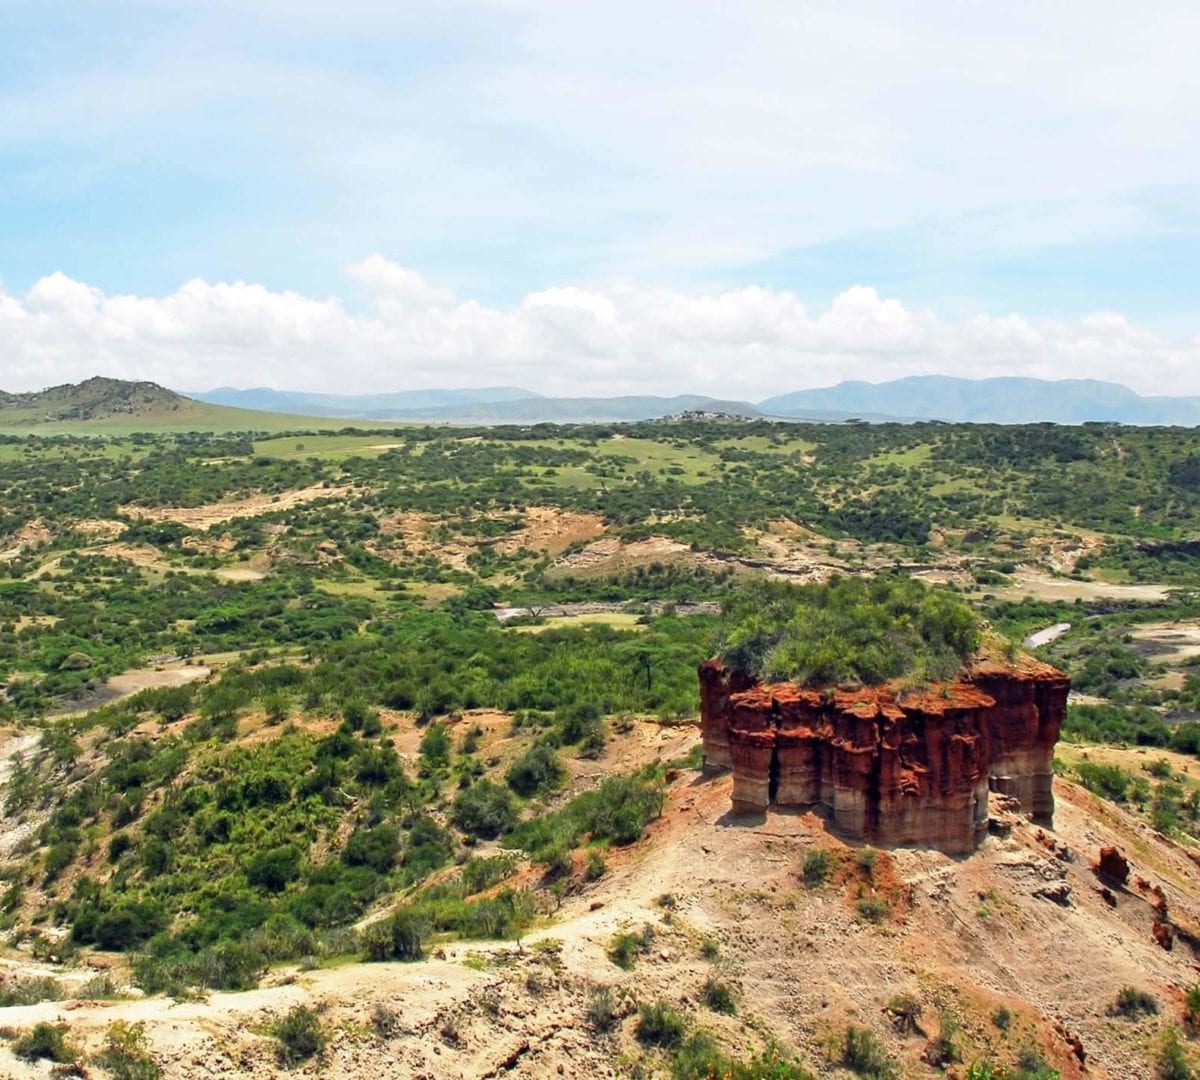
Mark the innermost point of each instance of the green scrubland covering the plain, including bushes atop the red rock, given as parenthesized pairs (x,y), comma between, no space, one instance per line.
(333,791)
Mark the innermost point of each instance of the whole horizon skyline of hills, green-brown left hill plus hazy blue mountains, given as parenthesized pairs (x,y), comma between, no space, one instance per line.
(922,398)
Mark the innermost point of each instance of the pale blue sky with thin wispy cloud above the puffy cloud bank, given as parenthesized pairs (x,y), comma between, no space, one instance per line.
(965,160)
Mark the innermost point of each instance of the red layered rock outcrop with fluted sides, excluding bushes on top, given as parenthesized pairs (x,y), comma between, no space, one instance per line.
(889,765)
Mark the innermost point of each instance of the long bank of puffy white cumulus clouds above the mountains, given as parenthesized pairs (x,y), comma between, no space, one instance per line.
(620,339)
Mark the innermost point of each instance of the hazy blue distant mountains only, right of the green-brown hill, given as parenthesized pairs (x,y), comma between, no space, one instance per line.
(920,398)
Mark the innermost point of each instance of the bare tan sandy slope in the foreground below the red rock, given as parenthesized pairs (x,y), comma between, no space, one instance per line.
(964,938)
